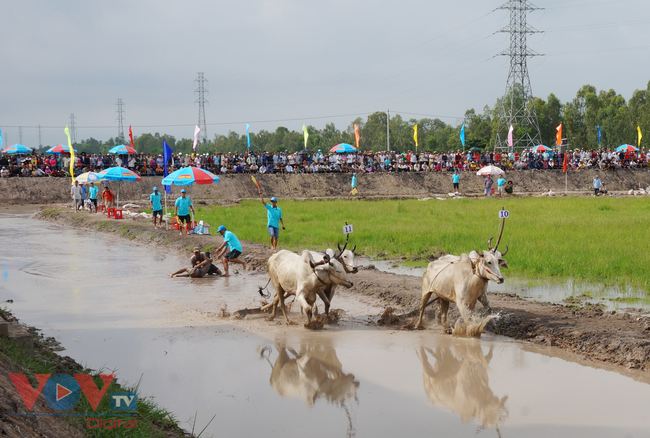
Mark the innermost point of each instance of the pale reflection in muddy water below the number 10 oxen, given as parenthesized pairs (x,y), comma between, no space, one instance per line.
(455,377)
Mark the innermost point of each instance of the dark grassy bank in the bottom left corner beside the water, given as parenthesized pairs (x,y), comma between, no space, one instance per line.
(152,420)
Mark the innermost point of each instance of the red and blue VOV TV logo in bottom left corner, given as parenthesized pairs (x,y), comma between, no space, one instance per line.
(62,391)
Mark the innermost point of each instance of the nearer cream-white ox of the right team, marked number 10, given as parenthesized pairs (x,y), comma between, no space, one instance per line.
(459,280)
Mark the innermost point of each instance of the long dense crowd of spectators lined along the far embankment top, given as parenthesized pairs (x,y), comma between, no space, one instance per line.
(318,162)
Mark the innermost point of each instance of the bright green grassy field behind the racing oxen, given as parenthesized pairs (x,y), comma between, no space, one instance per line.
(596,239)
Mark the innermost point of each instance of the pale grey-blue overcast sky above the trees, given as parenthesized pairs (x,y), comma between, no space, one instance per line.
(273,63)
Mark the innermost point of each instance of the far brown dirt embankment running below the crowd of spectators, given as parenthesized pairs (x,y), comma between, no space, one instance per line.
(371,185)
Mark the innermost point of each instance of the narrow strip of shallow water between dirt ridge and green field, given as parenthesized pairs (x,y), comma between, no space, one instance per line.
(545,290)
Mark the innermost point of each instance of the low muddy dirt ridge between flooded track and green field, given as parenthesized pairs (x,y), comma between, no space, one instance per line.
(620,339)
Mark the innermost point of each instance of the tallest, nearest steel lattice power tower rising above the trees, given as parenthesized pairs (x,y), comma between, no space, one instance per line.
(517,108)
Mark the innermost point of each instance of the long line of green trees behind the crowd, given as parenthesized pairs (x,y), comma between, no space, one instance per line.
(618,120)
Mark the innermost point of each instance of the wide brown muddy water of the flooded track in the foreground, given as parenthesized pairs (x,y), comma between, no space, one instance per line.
(111,305)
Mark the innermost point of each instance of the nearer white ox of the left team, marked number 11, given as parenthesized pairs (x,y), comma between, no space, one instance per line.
(299,275)
